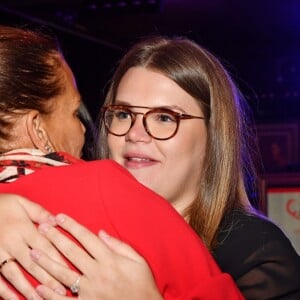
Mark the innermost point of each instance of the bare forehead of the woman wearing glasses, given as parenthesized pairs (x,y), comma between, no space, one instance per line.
(144,87)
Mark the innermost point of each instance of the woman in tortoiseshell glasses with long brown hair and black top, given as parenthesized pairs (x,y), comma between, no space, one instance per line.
(174,119)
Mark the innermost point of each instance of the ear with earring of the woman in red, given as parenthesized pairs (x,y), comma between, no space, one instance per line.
(37,131)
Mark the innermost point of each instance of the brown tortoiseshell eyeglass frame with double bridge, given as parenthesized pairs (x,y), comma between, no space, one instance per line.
(178,117)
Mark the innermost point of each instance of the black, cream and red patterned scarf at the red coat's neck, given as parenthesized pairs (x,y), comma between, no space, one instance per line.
(21,162)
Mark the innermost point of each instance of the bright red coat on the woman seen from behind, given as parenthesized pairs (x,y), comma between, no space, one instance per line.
(103,195)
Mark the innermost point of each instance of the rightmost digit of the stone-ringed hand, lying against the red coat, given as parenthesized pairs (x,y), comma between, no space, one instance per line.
(120,247)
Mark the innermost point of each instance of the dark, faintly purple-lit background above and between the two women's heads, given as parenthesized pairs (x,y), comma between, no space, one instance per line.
(257,40)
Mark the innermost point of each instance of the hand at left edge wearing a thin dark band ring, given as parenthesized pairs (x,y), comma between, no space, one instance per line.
(17,235)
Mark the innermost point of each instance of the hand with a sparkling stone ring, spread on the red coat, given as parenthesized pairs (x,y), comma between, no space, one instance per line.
(110,270)
